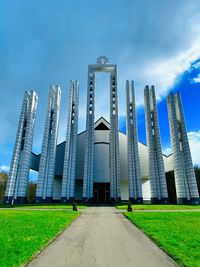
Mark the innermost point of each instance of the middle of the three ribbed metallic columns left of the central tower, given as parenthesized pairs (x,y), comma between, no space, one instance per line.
(44,190)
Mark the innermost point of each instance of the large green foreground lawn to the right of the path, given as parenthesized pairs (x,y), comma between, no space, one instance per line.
(178,233)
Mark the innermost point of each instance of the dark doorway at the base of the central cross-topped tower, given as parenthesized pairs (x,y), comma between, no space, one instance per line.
(101,192)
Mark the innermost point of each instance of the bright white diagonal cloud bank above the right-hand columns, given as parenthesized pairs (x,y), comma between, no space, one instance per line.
(164,73)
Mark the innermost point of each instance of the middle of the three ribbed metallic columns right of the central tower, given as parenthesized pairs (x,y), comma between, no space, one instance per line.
(156,165)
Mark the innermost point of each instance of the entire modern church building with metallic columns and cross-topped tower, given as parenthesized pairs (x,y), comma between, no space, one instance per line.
(102,164)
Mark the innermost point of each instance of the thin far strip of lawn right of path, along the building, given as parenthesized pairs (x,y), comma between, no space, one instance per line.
(159,207)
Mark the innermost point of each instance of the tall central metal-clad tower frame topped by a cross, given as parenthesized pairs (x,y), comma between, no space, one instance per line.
(102,66)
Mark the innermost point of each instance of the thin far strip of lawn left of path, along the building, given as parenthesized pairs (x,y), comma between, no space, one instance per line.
(45,206)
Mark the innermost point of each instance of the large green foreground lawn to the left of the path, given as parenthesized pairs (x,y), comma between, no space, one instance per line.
(24,232)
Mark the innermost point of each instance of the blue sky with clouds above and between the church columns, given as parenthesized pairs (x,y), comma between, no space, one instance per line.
(50,42)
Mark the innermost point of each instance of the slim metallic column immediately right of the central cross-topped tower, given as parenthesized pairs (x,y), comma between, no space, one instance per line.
(135,184)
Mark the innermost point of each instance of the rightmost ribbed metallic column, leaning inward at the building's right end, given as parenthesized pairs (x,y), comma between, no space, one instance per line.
(186,185)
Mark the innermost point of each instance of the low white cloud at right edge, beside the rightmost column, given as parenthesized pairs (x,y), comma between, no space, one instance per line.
(194,140)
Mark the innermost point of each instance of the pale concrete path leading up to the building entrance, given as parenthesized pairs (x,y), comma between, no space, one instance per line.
(102,237)
